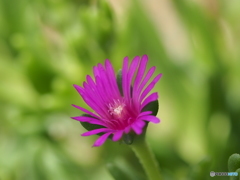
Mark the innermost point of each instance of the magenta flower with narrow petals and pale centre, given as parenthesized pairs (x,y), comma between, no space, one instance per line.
(118,111)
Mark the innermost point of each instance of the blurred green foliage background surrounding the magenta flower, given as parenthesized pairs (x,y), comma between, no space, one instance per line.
(48,45)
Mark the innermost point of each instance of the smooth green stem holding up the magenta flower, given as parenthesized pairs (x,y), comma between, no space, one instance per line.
(146,157)
